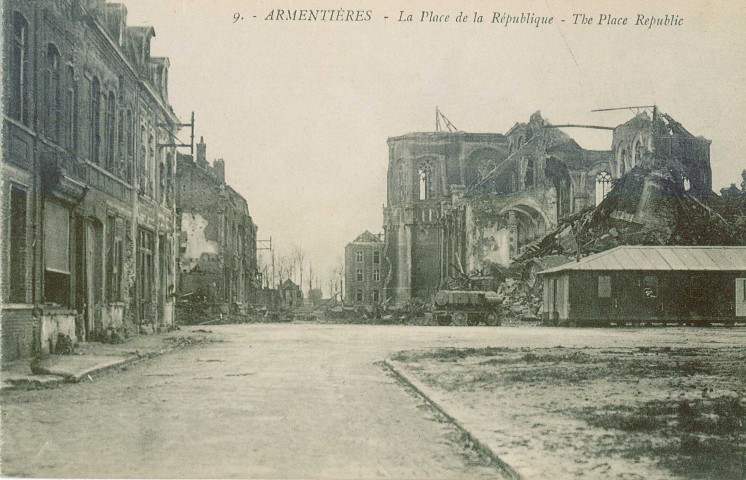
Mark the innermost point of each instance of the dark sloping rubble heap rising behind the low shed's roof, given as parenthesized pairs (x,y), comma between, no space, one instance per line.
(647,206)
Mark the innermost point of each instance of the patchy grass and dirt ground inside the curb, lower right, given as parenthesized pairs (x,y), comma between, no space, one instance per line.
(600,413)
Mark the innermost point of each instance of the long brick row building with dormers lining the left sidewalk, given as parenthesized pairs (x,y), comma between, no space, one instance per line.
(87,175)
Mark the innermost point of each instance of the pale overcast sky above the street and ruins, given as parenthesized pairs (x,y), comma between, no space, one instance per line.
(301,111)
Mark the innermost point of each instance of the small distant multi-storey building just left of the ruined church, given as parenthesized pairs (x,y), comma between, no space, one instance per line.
(364,270)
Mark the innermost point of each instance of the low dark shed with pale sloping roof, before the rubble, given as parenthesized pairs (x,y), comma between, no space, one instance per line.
(649,284)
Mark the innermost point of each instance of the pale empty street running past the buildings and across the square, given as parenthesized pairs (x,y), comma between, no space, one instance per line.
(290,401)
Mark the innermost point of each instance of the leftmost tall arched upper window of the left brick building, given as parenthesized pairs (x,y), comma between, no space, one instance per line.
(18,88)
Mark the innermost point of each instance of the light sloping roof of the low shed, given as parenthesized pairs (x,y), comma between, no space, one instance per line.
(718,258)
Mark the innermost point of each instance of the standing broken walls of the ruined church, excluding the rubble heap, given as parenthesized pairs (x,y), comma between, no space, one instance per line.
(462,202)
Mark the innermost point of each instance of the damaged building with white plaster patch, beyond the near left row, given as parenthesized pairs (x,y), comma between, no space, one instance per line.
(218,256)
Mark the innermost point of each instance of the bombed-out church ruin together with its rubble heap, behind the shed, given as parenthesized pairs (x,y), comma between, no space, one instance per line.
(493,206)
